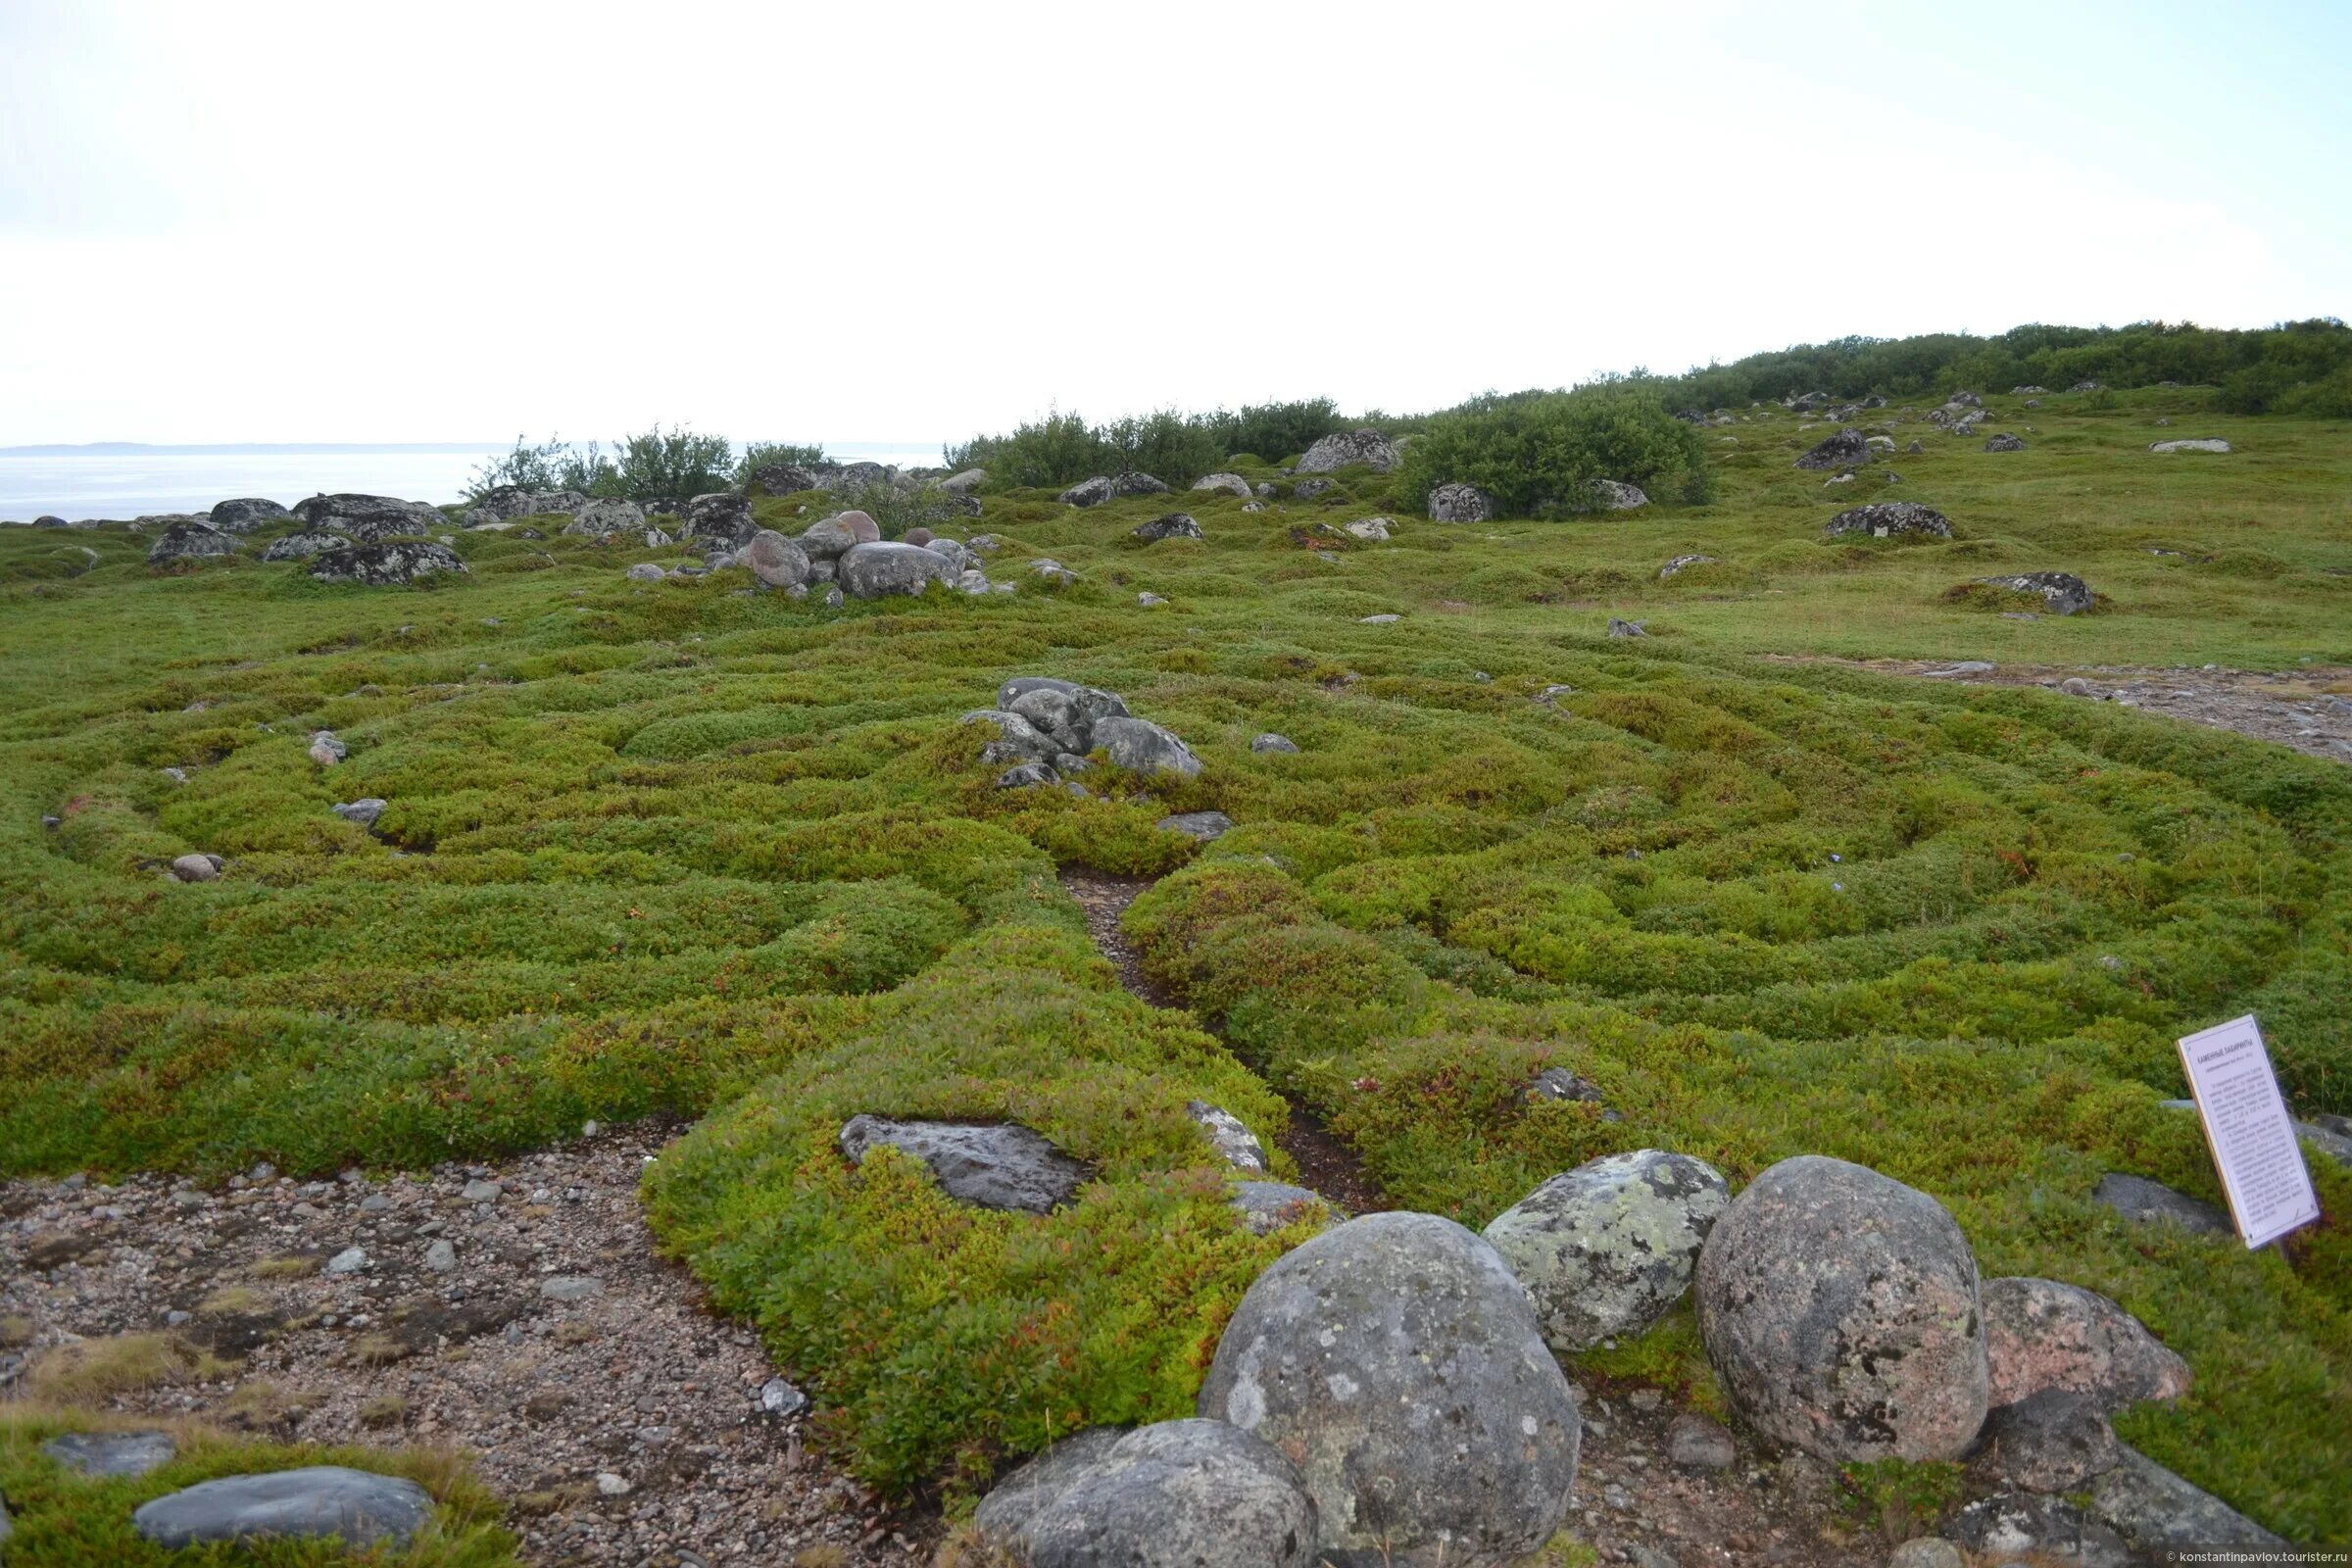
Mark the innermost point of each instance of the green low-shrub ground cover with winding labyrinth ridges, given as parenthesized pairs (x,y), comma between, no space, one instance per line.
(707,850)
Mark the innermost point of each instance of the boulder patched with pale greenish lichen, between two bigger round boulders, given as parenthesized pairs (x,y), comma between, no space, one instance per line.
(1610,1247)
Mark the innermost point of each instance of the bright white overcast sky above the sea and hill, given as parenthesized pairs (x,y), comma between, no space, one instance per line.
(900,222)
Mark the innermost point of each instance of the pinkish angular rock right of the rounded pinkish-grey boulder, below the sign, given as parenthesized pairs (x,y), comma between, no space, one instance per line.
(2043,1334)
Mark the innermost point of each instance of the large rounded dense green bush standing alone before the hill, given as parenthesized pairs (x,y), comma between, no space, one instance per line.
(1539,455)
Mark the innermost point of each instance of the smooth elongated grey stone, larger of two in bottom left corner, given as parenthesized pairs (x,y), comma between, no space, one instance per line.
(309,1503)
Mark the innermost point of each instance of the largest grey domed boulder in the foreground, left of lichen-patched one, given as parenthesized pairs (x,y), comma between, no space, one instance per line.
(1398,1365)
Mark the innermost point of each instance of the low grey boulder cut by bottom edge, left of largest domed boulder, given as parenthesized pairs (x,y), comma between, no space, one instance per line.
(1180,1494)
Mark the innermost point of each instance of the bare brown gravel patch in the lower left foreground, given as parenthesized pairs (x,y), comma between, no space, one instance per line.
(514,1313)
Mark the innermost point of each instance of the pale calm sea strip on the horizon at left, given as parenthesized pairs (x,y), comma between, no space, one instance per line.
(131,485)
